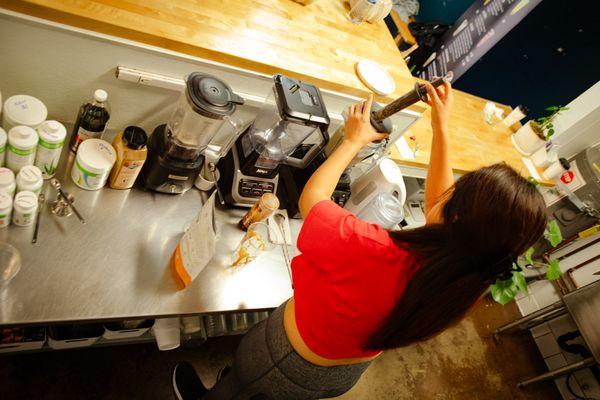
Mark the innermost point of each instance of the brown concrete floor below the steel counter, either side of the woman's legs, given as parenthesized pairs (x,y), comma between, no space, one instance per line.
(462,363)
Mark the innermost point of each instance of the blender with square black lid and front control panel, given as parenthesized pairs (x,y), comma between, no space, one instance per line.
(289,130)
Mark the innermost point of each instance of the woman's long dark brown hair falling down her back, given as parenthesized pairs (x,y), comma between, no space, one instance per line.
(490,216)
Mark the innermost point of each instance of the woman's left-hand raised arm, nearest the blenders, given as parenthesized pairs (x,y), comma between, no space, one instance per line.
(357,133)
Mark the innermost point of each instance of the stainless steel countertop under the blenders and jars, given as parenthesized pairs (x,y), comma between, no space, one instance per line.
(116,265)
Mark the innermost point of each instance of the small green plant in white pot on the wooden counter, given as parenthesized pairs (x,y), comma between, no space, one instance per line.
(535,133)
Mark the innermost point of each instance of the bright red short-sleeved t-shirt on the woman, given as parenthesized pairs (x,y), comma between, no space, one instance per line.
(347,280)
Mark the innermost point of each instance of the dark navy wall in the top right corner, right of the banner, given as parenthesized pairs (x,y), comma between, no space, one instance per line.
(550,58)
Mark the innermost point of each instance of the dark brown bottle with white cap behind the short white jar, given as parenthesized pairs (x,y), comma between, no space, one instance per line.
(91,119)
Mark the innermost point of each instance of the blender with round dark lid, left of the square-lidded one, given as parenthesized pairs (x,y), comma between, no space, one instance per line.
(176,149)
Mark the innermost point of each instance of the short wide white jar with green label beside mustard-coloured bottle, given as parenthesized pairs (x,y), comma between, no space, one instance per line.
(95,158)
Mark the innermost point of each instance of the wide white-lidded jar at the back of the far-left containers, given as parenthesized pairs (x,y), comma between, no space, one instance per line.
(25,110)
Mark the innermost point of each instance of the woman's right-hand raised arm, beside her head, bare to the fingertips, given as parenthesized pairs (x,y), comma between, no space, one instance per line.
(439,175)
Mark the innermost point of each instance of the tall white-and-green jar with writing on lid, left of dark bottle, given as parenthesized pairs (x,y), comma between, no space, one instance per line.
(52,139)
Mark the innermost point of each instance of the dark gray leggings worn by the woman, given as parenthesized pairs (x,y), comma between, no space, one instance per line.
(267,367)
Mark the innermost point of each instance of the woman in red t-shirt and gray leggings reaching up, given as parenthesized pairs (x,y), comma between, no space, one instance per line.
(359,290)
